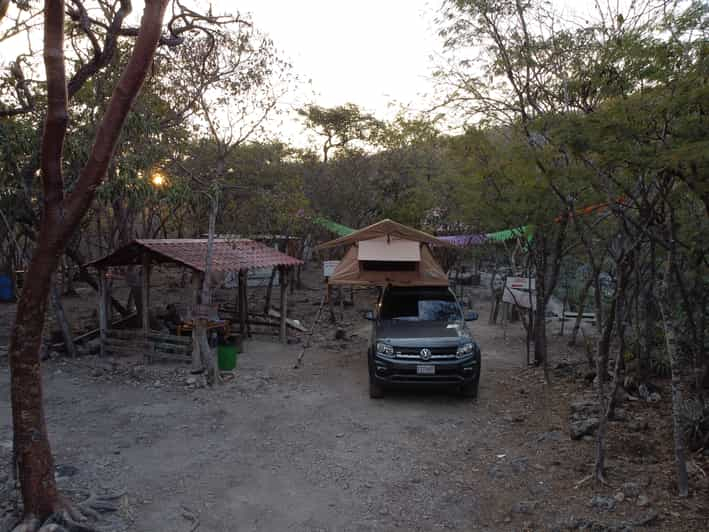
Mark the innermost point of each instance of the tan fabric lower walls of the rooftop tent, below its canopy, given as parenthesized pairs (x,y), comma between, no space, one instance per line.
(425,272)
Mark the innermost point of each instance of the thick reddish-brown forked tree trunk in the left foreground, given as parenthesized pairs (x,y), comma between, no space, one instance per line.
(61,215)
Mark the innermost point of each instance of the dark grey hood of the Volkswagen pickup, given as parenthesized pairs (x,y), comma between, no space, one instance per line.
(412,333)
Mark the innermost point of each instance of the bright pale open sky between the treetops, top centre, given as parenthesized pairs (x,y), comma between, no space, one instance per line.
(374,53)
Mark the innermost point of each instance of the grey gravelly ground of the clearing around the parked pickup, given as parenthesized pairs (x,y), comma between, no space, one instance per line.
(281,449)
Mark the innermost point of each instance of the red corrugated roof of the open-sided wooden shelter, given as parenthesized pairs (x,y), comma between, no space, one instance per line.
(228,255)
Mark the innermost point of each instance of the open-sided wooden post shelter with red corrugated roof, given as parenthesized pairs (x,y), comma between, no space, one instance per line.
(238,255)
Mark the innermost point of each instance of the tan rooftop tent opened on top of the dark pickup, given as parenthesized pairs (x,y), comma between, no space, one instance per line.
(388,253)
